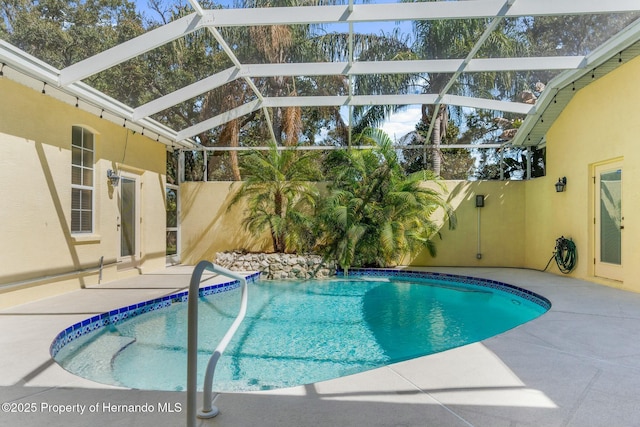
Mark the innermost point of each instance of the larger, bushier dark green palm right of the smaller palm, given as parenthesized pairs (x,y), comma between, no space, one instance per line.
(375,214)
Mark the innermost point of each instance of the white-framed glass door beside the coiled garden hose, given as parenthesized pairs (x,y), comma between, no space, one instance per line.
(609,221)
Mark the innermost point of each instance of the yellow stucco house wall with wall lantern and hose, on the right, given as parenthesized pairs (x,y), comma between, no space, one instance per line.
(601,124)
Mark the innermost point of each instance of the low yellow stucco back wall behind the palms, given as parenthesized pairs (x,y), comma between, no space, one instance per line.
(207,226)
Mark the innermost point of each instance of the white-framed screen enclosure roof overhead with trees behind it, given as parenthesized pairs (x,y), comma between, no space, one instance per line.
(466,89)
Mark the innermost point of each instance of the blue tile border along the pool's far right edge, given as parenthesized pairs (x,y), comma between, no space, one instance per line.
(467,280)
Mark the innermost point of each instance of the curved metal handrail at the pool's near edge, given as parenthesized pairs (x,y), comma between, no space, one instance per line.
(208,410)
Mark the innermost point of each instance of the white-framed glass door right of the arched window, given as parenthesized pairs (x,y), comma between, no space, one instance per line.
(129,222)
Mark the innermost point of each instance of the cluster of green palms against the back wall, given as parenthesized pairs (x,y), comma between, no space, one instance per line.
(373,213)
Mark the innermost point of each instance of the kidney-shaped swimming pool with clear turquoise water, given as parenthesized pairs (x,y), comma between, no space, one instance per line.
(295,332)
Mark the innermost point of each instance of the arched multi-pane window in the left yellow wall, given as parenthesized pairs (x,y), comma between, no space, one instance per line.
(82,156)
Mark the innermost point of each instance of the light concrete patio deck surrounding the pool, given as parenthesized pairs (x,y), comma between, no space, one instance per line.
(577,365)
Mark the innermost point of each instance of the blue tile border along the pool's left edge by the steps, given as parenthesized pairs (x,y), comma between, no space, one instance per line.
(118,315)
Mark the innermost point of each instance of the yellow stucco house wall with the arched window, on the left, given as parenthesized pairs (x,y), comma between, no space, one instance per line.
(35,168)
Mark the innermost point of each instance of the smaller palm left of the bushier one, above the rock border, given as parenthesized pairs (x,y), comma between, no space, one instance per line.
(280,196)
